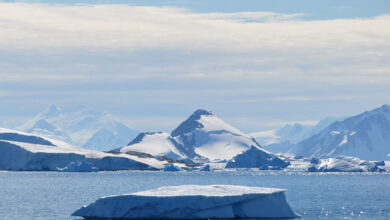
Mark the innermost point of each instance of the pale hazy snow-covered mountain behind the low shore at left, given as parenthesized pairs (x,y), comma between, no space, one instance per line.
(80,126)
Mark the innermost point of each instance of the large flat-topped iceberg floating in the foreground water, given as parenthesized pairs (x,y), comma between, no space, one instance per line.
(192,202)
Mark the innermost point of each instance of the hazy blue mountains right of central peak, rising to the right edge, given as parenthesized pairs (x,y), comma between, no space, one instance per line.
(366,136)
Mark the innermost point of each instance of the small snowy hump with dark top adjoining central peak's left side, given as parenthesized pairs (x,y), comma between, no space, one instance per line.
(157,144)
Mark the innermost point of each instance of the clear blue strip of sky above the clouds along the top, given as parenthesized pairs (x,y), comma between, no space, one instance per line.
(321,9)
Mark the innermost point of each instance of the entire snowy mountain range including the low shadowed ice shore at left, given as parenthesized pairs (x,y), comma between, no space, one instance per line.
(203,137)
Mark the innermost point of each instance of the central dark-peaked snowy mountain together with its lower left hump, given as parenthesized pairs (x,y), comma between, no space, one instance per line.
(201,137)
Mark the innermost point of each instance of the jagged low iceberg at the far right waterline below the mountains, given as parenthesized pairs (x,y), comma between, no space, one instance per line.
(345,164)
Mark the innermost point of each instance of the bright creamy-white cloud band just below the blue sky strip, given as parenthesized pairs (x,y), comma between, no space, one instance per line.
(131,27)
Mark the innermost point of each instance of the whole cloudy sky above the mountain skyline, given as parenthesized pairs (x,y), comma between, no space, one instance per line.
(256,64)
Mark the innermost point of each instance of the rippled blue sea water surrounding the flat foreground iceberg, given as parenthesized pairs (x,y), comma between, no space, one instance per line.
(52,195)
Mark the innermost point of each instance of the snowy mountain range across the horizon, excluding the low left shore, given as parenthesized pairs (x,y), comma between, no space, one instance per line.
(205,137)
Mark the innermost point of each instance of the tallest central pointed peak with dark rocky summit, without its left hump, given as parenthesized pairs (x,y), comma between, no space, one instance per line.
(206,135)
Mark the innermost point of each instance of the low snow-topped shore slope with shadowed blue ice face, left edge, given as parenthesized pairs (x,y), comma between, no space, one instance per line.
(23,151)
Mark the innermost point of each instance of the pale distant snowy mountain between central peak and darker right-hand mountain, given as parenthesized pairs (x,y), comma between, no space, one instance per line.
(282,139)
